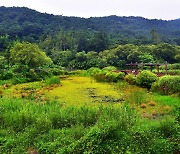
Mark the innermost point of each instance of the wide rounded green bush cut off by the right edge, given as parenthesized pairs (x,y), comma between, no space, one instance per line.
(167,85)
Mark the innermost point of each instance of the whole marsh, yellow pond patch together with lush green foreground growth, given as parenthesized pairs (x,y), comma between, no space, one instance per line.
(80,115)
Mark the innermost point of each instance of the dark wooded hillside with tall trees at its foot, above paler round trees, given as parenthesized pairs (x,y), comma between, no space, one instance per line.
(32,26)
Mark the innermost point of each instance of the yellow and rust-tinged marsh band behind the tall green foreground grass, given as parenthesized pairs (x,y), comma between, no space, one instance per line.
(84,91)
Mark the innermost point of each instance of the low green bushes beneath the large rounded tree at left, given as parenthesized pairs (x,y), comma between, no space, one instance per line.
(21,74)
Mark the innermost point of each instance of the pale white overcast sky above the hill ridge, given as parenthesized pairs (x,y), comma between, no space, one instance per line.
(152,9)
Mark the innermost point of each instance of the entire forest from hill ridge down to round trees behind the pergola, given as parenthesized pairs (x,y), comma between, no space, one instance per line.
(94,42)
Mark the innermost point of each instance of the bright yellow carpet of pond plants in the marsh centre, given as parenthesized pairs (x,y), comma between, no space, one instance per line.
(85,91)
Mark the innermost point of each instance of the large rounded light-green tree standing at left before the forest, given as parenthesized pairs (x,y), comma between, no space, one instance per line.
(28,54)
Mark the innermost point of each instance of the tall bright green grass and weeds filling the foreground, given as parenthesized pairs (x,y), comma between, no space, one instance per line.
(52,128)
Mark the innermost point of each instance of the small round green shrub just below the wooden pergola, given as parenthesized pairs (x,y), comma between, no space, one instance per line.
(146,79)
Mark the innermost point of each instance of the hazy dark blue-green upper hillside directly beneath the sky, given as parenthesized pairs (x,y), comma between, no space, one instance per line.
(27,23)
